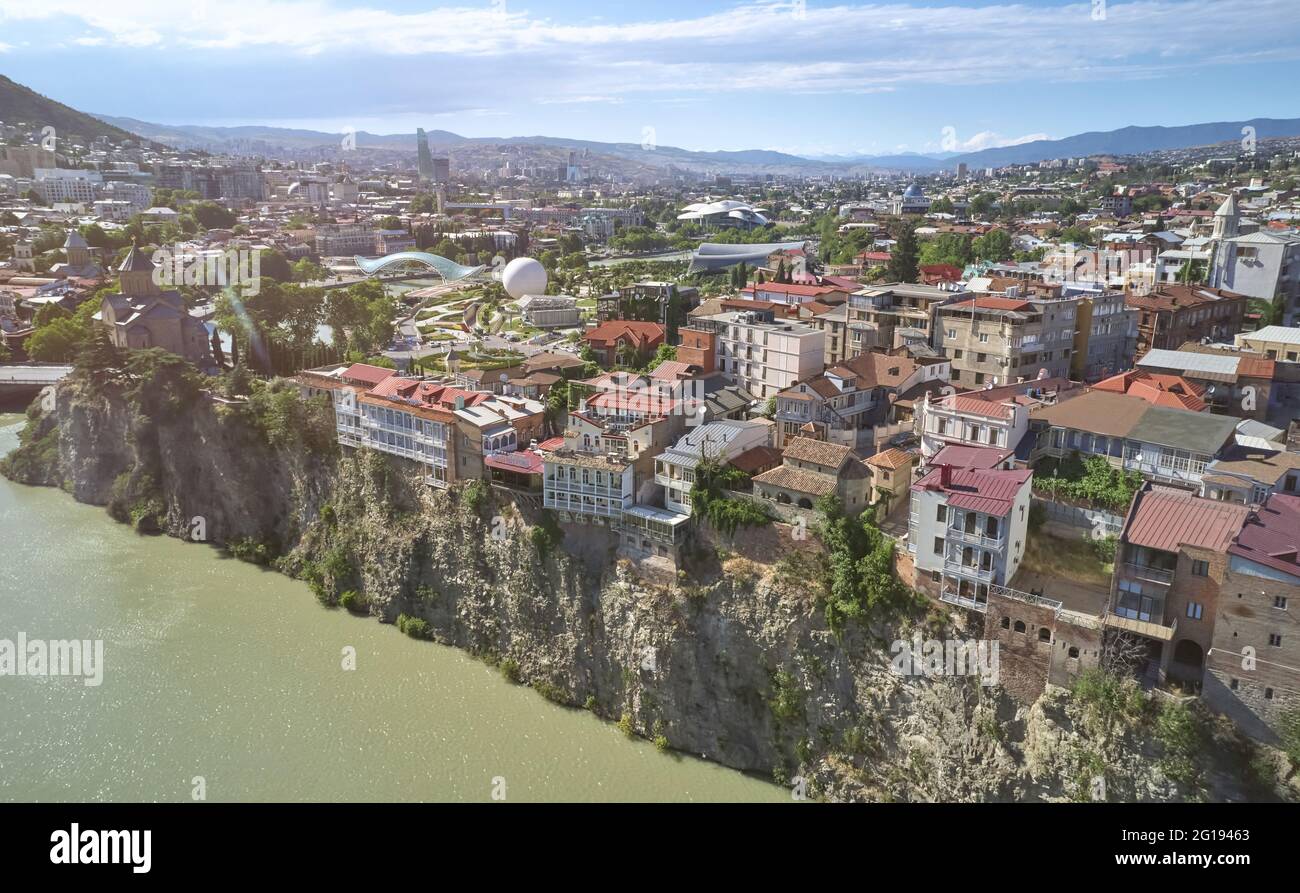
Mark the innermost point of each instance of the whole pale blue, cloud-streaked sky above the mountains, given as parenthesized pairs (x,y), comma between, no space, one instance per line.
(799,76)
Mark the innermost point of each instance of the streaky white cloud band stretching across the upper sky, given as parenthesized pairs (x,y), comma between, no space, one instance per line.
(759,46)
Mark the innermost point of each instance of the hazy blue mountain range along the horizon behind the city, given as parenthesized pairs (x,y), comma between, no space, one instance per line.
(19,103)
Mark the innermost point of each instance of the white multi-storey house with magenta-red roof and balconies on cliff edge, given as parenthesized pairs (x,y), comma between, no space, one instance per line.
(967,531)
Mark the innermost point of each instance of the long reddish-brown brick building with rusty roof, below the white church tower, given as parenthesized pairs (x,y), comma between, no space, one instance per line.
(1172,315)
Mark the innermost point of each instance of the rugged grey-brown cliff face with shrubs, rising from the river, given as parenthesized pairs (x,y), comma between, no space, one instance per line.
(739,666)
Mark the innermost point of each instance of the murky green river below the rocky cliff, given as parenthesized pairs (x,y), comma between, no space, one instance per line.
(223,671)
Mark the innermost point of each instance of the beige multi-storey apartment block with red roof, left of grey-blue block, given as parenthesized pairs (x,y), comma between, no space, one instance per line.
(996,341)
